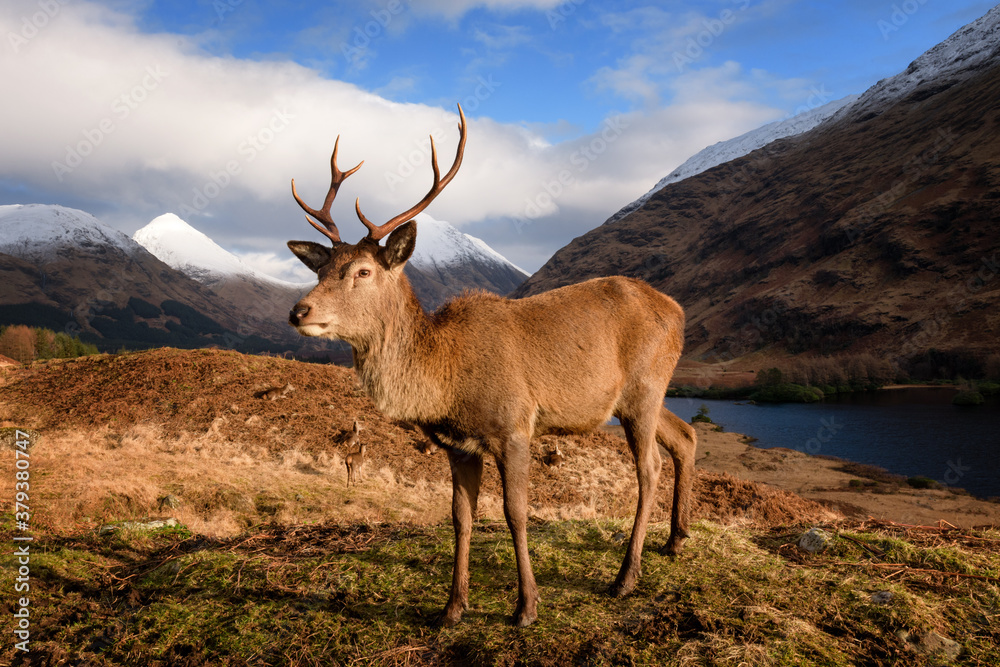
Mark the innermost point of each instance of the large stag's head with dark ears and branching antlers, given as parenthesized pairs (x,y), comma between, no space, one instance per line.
(359,282)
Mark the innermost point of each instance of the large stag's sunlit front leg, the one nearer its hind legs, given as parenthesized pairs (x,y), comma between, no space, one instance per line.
(513,468)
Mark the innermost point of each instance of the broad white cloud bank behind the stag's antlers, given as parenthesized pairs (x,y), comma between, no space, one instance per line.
(135,125)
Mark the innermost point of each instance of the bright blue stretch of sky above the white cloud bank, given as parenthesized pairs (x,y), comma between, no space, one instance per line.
(565,66)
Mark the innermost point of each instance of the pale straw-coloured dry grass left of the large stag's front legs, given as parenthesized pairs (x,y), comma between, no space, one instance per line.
(88,478)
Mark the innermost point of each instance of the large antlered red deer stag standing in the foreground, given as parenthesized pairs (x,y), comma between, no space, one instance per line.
(483,375)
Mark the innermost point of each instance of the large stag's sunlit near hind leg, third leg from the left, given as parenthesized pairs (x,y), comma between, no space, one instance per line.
(640,432)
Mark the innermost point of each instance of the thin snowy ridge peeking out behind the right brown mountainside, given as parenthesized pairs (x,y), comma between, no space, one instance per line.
(730,149)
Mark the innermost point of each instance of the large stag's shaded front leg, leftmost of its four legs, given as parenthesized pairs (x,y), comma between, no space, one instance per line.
(466,473)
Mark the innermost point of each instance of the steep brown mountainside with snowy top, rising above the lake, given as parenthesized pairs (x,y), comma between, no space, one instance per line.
(874,231)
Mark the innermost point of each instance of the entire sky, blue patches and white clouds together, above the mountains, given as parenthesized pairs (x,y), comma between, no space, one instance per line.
(539,79)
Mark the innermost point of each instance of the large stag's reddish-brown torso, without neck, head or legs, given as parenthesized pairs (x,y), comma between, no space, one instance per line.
(570,352)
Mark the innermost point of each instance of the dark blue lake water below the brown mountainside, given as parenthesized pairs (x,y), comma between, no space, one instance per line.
(906,431)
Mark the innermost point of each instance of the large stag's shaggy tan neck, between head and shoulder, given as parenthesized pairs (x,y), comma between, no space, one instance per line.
(406,366)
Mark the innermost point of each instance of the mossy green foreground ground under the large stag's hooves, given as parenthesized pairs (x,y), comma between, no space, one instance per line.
(370,595)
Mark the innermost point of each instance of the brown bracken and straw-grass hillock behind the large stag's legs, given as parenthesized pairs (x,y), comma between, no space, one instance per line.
(145,424)
